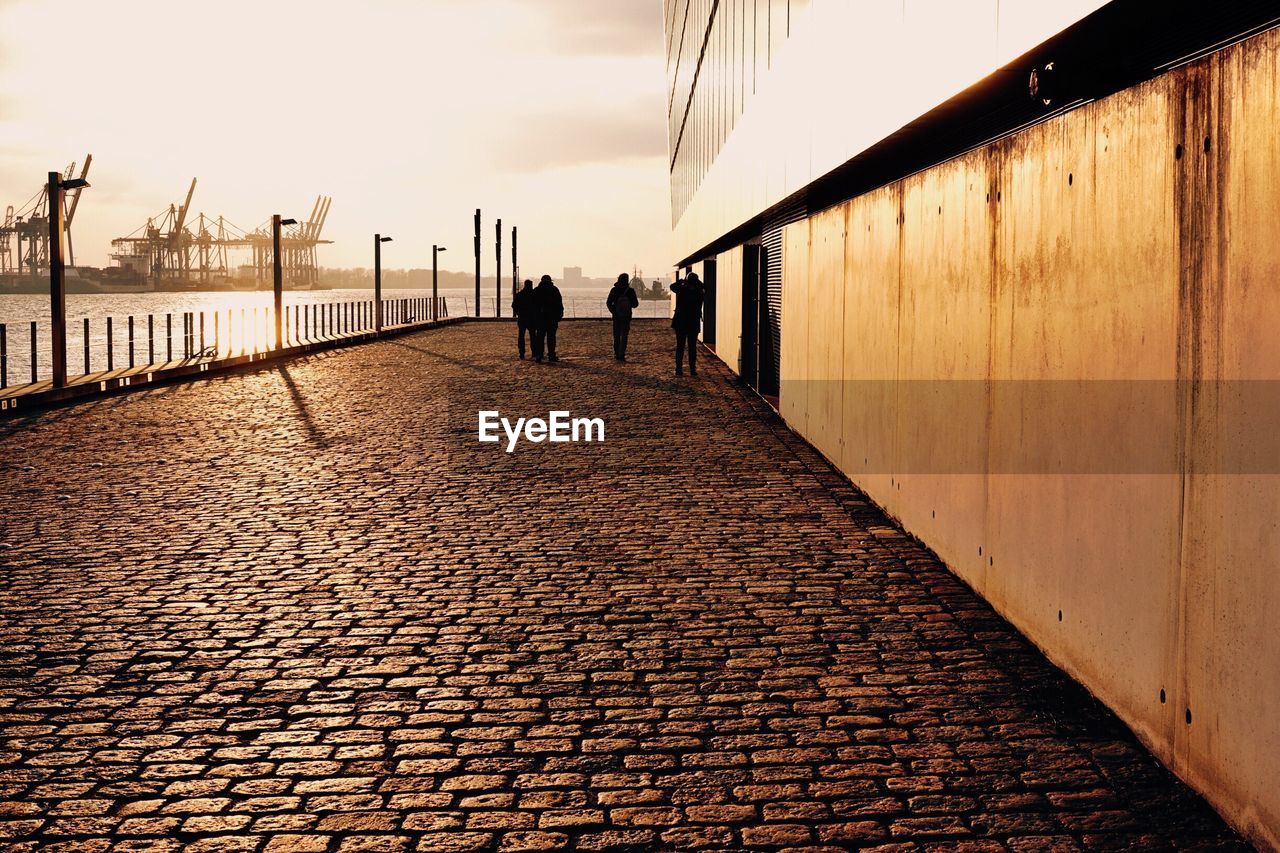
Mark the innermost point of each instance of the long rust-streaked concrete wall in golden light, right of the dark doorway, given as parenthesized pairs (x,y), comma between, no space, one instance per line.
(950,340)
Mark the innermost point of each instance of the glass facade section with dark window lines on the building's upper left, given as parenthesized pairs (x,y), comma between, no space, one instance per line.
(717,53)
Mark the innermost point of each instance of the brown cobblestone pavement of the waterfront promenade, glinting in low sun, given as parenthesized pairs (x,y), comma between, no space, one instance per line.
(305,610)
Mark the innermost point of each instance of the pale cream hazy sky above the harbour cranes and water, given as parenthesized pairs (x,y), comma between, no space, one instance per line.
(410,113)
